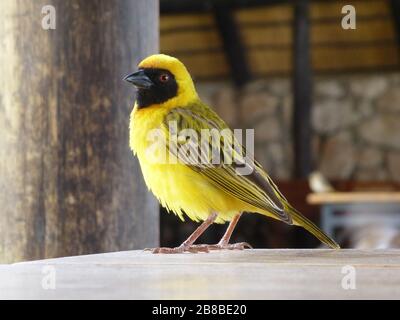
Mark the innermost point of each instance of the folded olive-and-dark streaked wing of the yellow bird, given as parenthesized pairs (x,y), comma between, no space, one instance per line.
(256,189)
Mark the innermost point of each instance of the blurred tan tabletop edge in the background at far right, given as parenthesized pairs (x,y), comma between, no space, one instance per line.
(353,197)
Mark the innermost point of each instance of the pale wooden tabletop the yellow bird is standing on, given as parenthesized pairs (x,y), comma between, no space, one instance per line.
(249,274)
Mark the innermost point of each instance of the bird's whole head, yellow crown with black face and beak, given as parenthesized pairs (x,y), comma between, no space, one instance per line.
(162,81)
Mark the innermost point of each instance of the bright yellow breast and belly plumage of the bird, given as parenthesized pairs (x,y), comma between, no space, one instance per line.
(177,187)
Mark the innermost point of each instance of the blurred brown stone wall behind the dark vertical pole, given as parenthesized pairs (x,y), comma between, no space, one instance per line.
(355,121)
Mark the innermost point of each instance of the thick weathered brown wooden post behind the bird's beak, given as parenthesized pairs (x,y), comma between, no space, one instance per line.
(69,184)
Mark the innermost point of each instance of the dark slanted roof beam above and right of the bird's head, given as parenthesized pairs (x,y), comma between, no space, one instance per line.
(232,44)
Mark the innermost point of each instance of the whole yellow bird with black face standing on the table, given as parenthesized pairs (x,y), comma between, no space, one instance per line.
(166,122)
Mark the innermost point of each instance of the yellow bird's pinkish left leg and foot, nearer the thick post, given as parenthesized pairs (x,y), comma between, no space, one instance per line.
(187,245)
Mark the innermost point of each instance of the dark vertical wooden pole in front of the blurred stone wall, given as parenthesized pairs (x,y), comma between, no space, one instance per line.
(302,87)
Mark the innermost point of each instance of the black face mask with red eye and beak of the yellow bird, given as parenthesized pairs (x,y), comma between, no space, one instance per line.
(154,86)
